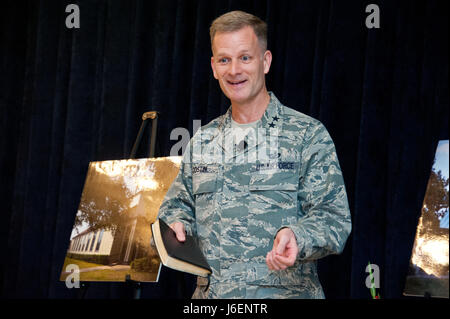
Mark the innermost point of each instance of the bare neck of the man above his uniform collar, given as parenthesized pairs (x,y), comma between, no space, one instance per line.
(250,111)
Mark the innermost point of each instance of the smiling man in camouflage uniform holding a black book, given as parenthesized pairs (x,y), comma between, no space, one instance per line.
(260,187)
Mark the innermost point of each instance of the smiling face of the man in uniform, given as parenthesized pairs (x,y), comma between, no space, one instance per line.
(239,64)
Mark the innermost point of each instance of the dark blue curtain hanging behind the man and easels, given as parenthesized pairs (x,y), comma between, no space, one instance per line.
(71,96)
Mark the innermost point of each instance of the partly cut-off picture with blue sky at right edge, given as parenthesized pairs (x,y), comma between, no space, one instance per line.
(428,268)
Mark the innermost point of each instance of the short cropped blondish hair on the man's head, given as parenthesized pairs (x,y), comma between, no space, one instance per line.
(236,20)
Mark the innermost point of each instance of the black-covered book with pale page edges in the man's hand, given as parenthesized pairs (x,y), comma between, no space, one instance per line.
(183,256)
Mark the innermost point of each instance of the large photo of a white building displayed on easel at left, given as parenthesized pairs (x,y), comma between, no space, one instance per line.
(111,235)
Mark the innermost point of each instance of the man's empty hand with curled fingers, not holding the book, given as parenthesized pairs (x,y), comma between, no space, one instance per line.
(284,251)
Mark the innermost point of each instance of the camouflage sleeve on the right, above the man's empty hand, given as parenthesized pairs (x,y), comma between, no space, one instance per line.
(325,224)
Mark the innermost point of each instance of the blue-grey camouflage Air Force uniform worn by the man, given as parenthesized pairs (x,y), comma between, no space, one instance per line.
(235,200)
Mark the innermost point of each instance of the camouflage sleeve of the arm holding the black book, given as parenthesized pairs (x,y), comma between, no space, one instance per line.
(178,204)
